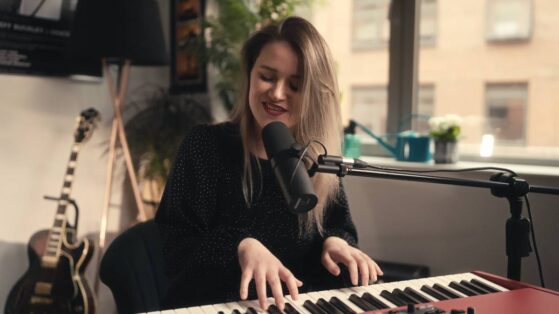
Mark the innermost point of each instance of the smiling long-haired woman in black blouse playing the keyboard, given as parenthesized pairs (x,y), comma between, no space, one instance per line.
(222,215)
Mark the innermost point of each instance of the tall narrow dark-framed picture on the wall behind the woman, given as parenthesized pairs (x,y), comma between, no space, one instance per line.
(188,69)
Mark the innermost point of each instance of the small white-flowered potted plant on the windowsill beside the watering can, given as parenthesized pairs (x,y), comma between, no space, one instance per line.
(445,131)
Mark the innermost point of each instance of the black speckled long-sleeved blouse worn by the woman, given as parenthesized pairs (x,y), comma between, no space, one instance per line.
(203,216)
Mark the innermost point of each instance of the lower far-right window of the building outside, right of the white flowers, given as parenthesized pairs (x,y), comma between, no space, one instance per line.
(506,112)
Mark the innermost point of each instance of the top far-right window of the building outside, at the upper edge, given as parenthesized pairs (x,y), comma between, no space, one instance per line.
(509,20)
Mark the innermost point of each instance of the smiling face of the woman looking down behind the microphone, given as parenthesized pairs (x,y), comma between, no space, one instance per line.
(275,82)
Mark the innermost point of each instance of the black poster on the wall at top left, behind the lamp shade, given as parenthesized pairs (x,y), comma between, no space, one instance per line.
(34,35)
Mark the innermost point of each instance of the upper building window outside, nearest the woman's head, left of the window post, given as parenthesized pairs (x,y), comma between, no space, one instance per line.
(371,26)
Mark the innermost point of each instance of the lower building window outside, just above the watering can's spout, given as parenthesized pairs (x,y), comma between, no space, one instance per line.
(369,106)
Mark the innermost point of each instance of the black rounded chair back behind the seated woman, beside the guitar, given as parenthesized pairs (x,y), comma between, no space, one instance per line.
(133,268)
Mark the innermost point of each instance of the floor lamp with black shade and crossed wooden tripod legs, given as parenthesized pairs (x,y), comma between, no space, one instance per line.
(120,33)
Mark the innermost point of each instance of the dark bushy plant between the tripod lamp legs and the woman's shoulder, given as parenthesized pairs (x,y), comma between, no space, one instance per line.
(159,122)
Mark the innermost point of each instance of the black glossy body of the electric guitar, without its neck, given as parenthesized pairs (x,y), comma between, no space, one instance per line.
(69,292)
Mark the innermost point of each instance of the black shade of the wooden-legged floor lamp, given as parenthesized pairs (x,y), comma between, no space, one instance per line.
(118,30)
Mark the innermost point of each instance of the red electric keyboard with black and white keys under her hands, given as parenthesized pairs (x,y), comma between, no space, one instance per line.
(478,291)
